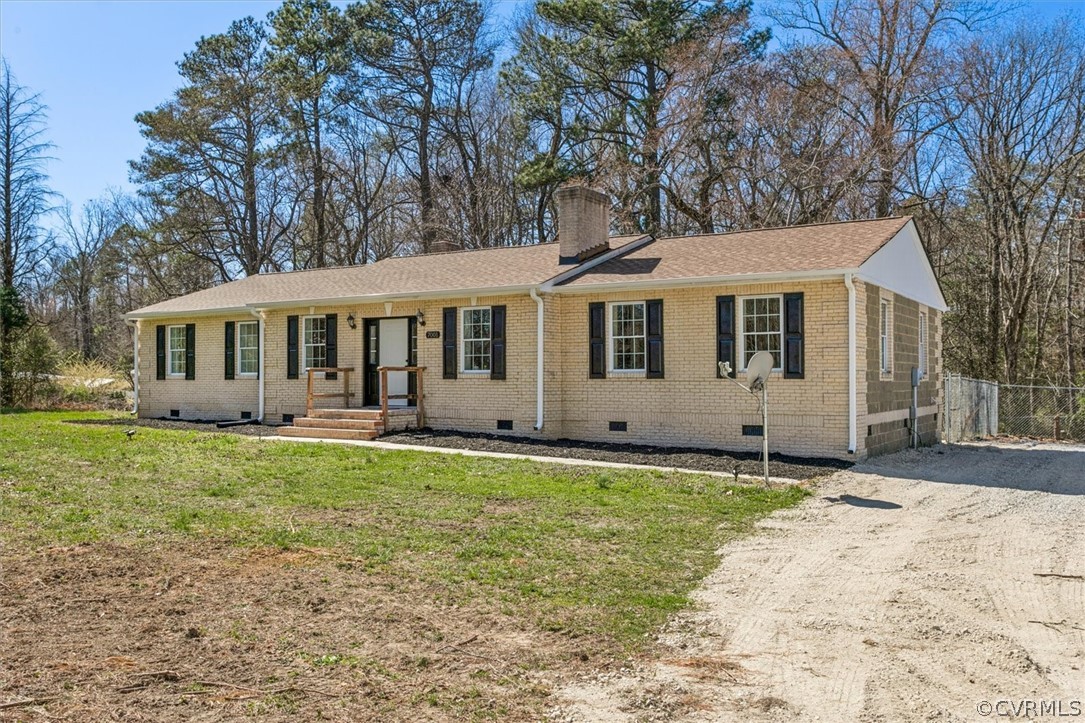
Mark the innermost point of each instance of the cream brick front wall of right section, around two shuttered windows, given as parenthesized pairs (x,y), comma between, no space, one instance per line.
(691,407)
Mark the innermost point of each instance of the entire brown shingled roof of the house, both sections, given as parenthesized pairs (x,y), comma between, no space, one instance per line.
(796,249)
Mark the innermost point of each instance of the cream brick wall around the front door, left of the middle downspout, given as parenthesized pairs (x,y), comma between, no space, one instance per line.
(470,402)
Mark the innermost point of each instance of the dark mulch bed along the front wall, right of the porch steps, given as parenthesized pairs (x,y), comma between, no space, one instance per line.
(712,461)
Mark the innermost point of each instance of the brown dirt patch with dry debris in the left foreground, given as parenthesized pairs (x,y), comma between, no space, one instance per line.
(185,632)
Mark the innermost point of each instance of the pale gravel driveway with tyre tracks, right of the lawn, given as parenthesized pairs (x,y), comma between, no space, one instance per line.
(910,589)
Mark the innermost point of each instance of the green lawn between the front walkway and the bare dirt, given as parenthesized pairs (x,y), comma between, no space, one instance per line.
(571,550)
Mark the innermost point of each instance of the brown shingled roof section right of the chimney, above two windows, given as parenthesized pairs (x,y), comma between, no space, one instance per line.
(794,249)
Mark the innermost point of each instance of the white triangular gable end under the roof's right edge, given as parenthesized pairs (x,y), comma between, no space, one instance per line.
(902,267)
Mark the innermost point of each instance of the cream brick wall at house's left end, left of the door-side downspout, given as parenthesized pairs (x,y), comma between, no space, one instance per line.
(208,397)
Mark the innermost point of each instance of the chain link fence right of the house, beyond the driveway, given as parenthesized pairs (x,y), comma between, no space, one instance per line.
(976,409)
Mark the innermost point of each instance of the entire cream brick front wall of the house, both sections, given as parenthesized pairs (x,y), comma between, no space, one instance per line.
(688,408)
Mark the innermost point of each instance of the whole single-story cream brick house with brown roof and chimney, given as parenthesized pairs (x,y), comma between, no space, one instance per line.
(595,337)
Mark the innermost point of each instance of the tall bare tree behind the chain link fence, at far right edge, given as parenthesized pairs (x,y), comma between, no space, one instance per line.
(1019,120)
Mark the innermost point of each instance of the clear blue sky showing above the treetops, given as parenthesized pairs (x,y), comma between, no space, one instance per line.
(98,65)
